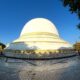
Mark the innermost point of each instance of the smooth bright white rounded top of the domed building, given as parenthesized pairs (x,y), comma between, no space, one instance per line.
(39,25)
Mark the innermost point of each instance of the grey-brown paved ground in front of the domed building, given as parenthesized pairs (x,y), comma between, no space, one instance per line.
(61,69)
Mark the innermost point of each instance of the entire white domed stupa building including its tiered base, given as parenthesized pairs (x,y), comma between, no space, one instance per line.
(38,36)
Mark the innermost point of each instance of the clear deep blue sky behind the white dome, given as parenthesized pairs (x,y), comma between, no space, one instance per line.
(15,13)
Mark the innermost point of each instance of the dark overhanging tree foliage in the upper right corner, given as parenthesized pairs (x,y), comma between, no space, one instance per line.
(74,7)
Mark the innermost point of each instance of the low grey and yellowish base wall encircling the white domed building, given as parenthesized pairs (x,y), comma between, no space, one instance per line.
(40,55)
